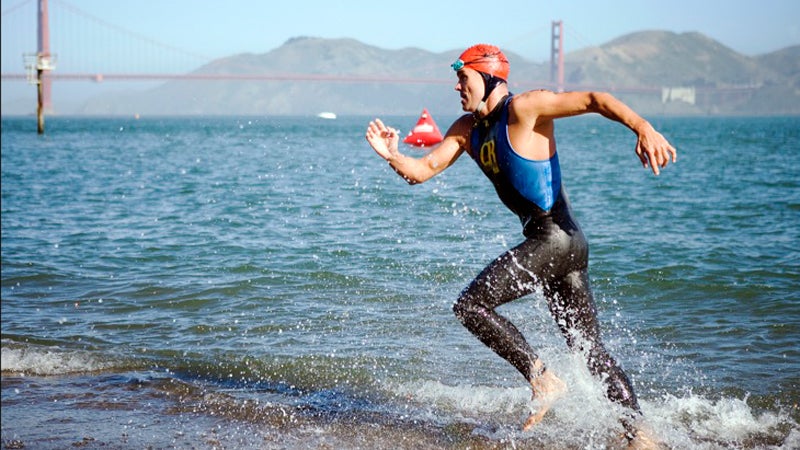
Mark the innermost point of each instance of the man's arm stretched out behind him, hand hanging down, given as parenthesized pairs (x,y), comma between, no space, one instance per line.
(652,148)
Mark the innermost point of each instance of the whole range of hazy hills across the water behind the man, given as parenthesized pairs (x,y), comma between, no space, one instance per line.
(657,72)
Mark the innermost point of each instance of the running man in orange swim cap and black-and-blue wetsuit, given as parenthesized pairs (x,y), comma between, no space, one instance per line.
(511,137)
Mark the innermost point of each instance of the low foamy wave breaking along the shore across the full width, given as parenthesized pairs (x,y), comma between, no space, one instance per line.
(287,394)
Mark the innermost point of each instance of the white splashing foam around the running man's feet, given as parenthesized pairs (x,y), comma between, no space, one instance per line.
(584,418)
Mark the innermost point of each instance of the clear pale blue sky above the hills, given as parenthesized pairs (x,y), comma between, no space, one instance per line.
(222,28)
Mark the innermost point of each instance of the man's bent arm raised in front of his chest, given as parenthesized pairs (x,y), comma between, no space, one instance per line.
(384,140)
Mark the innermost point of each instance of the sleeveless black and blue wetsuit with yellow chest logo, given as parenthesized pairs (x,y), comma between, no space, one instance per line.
(554,256)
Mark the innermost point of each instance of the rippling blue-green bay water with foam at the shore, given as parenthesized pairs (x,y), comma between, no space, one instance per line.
(270,283)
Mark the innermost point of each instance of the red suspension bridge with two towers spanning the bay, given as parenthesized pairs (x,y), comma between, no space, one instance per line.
(38,35)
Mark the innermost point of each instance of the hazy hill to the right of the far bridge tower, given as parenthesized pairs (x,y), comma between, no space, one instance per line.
(712,78)
